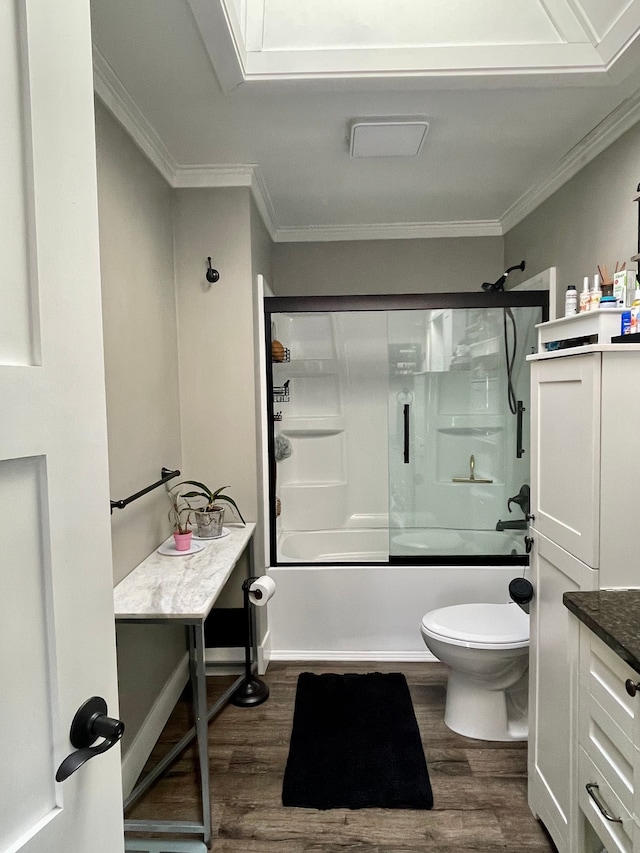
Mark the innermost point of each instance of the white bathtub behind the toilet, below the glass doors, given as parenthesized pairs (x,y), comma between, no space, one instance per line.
(367,612)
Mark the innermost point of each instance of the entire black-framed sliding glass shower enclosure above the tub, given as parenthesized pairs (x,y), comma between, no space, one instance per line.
(400,433)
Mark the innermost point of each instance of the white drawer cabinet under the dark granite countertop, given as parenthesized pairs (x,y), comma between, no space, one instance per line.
(608,779)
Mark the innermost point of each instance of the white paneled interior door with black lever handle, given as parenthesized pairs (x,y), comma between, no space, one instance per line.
(56,604)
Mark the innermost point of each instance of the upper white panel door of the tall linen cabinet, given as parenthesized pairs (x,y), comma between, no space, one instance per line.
(565,453)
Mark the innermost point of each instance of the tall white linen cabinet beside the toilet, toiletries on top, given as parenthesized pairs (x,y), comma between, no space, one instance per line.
(585,416)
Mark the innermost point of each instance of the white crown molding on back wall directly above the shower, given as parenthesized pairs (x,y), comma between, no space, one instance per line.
(389,231)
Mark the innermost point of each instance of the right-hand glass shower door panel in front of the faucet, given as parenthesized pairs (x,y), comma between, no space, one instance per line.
(458,431)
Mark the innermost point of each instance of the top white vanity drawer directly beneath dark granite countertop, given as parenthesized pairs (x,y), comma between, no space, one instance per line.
(604,674)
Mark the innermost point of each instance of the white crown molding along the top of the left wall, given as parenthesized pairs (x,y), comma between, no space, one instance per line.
(119,102)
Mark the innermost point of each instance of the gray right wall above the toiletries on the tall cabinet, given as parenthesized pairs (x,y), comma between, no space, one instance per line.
(590,220)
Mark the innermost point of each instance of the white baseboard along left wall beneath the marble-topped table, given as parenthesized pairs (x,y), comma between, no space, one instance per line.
(136,756)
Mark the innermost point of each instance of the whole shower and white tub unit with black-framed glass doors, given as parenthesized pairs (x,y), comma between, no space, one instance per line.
(397,465)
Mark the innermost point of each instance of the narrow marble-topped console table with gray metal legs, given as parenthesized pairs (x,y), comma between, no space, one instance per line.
(182,590)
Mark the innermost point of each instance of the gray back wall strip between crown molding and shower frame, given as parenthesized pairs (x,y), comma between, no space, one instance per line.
(442,264)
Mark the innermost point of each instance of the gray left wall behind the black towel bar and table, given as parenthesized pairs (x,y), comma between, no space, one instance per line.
(143,414)
